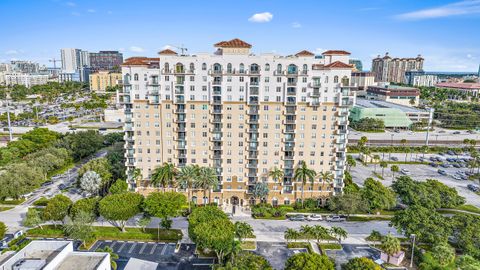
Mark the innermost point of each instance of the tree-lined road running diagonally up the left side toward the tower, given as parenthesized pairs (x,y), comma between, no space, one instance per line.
(13,217)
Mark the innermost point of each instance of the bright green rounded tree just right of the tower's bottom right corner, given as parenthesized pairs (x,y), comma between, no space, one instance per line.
(377,195)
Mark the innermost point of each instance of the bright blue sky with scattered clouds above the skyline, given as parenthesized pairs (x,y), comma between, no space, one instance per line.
(444,32)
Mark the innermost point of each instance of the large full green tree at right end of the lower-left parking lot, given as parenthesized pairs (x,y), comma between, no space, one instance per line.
(216,235)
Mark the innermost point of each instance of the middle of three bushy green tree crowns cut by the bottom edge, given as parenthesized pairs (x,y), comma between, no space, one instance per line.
(309,261)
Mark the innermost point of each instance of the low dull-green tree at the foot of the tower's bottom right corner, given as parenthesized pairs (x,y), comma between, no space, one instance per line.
(347,204)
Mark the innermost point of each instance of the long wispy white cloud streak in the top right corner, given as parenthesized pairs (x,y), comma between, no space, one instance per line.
(455,9)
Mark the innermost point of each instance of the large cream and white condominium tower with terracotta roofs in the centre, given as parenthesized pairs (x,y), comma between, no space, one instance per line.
(242,114)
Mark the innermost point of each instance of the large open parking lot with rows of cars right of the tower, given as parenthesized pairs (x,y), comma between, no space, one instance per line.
(421,172)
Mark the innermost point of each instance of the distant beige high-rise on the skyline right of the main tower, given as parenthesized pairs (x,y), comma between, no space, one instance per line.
(389,69)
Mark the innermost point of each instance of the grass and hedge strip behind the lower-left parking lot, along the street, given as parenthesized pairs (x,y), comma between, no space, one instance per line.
(113,233)
